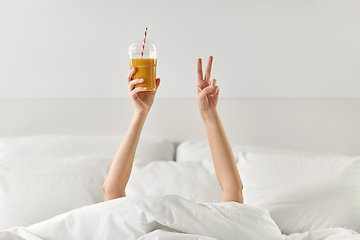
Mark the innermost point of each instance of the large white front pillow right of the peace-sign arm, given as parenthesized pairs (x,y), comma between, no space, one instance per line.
(303,193)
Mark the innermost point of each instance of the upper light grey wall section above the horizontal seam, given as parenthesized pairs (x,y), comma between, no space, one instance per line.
(262,49)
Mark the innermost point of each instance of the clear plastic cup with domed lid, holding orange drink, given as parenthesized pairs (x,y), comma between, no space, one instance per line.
(145,65)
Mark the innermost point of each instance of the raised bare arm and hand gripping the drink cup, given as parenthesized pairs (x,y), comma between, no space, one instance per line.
(120,170)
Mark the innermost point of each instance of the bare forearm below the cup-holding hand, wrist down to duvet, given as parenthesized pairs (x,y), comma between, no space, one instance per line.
(120,170)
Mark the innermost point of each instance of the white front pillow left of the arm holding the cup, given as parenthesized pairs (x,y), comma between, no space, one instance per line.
(35,190)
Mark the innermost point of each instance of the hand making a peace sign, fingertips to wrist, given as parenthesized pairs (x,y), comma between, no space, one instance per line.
(207,90)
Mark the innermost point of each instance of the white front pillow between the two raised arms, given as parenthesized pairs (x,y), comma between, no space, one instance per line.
(195,181)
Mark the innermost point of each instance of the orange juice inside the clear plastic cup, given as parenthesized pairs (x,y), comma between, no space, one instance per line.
(146,69)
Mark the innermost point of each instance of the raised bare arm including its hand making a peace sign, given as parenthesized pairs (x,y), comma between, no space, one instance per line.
(221,151)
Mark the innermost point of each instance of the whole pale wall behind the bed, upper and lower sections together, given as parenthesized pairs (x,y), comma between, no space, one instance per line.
(291,68)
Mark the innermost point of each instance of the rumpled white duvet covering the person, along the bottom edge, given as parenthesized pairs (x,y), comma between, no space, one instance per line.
(167,217)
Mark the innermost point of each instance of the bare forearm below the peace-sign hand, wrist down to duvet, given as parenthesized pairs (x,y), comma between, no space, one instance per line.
(222,154)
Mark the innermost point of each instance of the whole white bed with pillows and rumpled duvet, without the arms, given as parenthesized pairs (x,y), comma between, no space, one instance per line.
(51,188)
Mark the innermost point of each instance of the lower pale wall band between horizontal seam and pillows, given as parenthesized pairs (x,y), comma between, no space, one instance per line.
(328,126)
